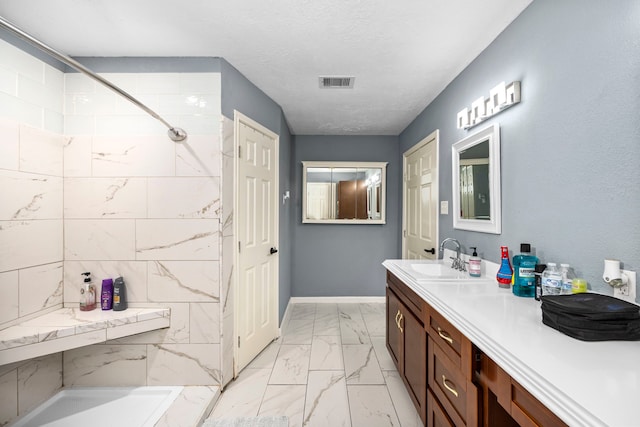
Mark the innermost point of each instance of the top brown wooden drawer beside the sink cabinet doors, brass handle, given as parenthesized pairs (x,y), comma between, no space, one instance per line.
(455,345)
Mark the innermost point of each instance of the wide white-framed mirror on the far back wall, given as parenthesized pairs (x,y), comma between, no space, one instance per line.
(343,192)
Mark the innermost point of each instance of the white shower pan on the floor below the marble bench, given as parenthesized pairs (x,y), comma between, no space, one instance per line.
(102,407)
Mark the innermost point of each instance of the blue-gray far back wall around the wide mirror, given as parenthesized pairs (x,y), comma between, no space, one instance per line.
(338,259)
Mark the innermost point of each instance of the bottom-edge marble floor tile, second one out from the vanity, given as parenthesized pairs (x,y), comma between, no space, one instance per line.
(371,406)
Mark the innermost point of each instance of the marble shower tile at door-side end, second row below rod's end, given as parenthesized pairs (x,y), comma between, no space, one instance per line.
(184,197)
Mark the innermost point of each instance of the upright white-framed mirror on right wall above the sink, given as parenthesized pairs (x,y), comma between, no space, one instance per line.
(476,182)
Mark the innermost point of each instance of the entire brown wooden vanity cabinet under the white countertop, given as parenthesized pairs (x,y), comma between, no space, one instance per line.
(452,382)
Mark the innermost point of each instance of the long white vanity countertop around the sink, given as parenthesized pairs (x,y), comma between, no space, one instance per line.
(583,383)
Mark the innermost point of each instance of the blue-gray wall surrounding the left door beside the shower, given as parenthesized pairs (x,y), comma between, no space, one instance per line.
(238,93)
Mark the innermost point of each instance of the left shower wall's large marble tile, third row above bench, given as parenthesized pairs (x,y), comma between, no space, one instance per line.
(28,196)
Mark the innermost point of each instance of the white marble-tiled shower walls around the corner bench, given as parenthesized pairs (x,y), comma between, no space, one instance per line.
(88,182)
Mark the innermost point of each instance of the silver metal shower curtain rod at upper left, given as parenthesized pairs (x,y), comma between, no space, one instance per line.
(175,133)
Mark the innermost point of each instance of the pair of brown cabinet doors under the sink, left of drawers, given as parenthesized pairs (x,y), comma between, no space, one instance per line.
(407,340)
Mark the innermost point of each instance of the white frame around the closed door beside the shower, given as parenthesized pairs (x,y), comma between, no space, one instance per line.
(239,118)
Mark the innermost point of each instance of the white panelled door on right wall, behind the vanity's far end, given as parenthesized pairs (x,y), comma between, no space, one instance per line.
(420,200)
